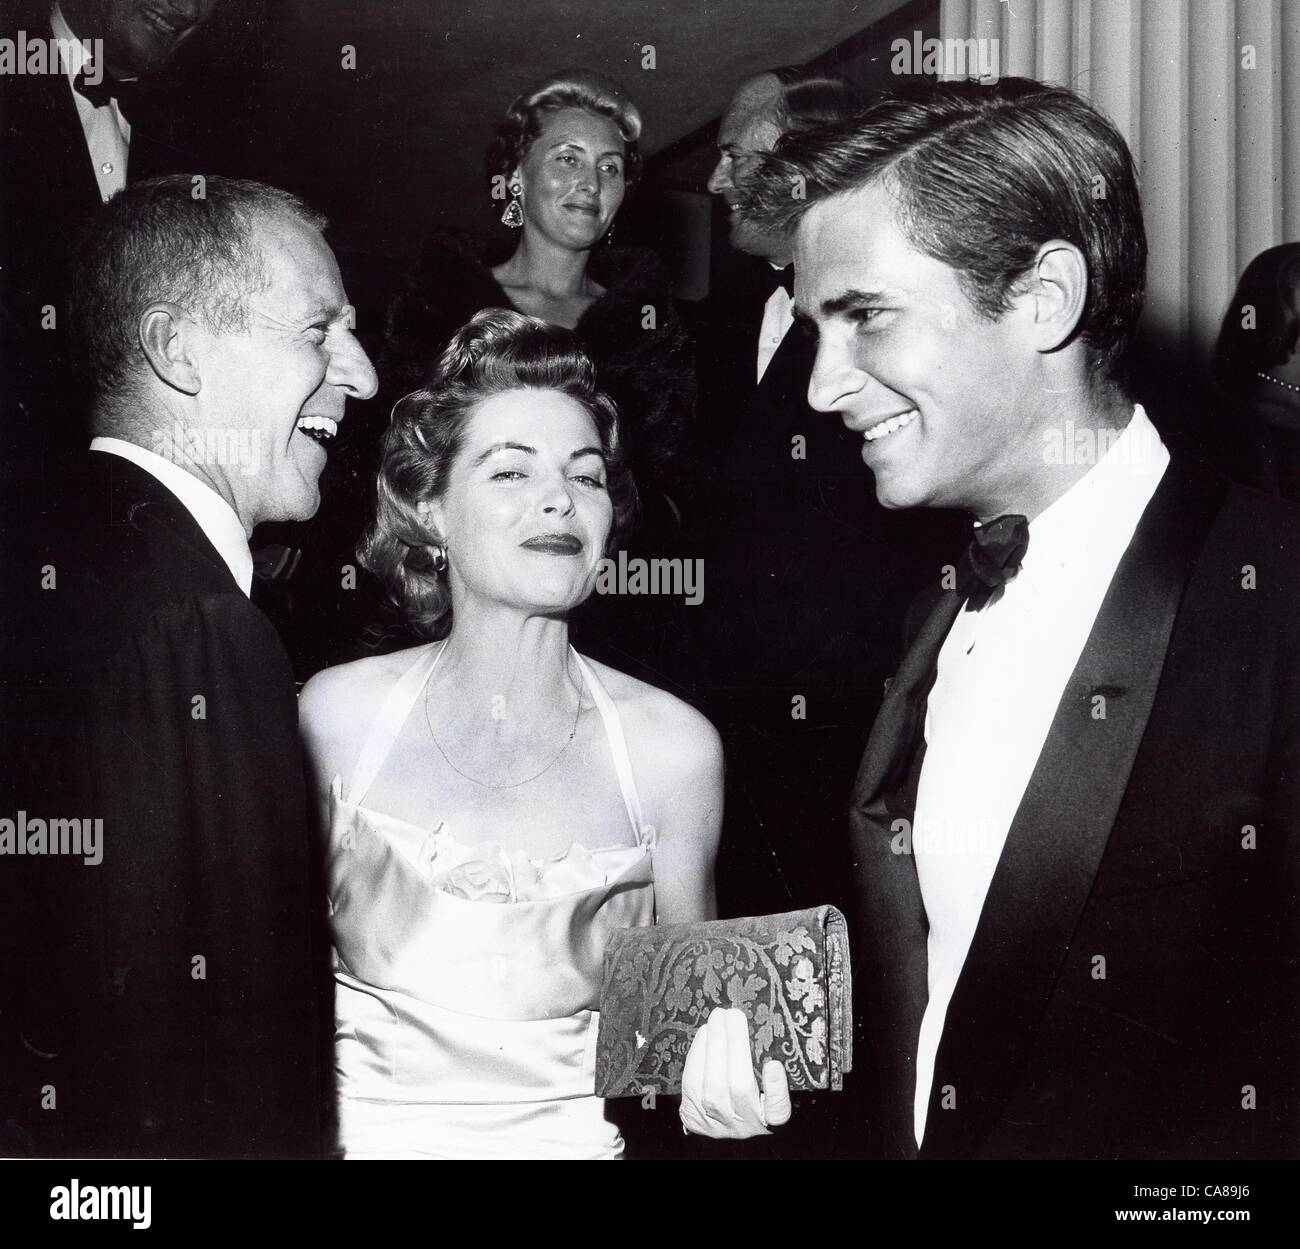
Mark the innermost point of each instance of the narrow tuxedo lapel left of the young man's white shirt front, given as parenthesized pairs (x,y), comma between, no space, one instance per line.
(891,930)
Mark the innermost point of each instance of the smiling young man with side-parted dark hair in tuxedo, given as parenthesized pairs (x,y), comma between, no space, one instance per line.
(1076,825)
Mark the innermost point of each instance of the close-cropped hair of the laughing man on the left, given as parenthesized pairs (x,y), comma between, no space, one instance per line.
(159,240)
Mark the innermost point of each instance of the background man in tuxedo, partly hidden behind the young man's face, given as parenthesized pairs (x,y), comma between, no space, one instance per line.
(809,578)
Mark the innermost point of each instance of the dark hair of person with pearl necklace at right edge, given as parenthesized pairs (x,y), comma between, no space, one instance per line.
(1250,345)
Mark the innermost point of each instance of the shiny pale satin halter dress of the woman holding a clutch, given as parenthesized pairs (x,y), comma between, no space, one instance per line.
(469,975)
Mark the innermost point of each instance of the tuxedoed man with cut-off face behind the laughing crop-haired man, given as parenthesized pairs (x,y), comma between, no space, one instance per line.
(71,137)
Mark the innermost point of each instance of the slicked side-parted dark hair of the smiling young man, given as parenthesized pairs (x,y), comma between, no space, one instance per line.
(983,177)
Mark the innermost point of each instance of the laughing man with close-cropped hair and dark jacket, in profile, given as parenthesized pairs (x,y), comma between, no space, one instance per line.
(172,998)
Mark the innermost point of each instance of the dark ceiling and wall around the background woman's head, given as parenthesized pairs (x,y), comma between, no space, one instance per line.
(395,149)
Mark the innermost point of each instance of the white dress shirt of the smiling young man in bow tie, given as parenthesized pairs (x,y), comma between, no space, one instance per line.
(1002,674)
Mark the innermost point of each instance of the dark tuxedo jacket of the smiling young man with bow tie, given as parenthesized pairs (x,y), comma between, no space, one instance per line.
(1158,834)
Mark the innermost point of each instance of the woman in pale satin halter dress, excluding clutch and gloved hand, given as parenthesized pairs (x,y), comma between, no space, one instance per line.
(496,805)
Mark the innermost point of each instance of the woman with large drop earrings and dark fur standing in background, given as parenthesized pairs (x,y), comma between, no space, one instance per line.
(564,158)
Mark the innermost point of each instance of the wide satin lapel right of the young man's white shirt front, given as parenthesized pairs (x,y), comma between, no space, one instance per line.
(1061,829)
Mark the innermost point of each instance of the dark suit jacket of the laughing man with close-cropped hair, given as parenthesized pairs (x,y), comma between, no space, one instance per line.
(176,998)
